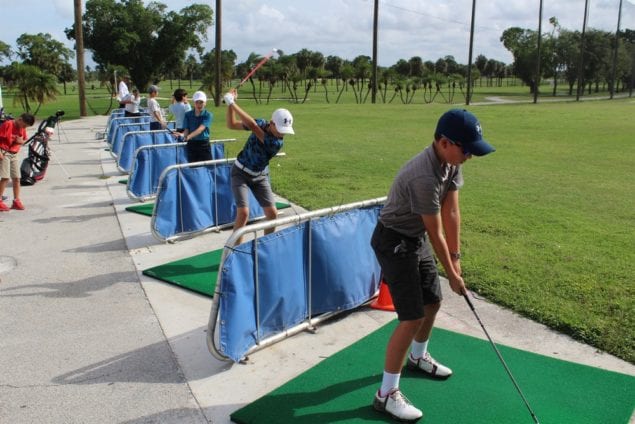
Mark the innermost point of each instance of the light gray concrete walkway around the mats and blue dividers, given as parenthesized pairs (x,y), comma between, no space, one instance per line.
(86,338)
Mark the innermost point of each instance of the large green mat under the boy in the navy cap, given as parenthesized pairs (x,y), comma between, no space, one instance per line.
(341,388)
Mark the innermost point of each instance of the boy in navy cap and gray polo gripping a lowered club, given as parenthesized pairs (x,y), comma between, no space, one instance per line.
(422,204)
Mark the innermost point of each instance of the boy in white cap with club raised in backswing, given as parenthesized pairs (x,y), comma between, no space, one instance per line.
(251,168)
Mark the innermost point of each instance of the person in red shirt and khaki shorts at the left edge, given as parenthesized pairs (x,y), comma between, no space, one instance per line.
(12,137)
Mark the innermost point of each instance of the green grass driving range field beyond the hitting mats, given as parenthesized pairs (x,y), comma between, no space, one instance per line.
(548,220)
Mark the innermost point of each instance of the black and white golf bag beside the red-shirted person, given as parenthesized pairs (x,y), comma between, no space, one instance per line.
(34,166)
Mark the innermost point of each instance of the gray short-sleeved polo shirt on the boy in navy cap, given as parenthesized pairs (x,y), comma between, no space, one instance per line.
(419,189)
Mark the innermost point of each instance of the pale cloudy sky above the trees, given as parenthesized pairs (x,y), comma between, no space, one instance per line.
(407,28)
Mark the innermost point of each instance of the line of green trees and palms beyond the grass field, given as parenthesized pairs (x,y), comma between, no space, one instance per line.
(152,44)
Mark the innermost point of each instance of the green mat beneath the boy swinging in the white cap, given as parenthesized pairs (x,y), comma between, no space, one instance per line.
(197,273)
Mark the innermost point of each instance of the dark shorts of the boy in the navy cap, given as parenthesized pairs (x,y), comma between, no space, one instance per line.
(409,270)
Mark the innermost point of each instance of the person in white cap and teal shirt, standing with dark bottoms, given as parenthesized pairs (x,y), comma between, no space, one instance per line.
(196,130)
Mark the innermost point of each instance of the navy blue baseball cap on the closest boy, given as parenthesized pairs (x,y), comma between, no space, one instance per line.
(461,126)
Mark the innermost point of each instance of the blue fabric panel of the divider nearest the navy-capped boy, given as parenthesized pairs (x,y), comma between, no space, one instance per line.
(344,274)
